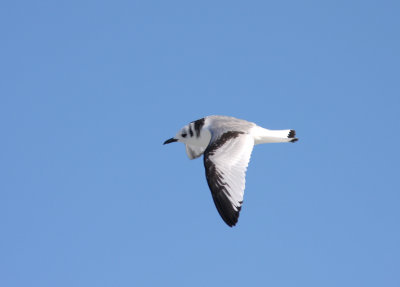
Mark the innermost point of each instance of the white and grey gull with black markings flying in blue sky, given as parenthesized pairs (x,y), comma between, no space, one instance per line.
(227,143)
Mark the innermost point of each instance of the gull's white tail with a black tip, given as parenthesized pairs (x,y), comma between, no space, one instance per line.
(262,135)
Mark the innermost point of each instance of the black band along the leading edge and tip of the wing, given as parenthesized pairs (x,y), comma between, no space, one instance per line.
(217,184)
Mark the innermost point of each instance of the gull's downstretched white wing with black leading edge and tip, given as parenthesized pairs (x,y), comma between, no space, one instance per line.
(226,160)
